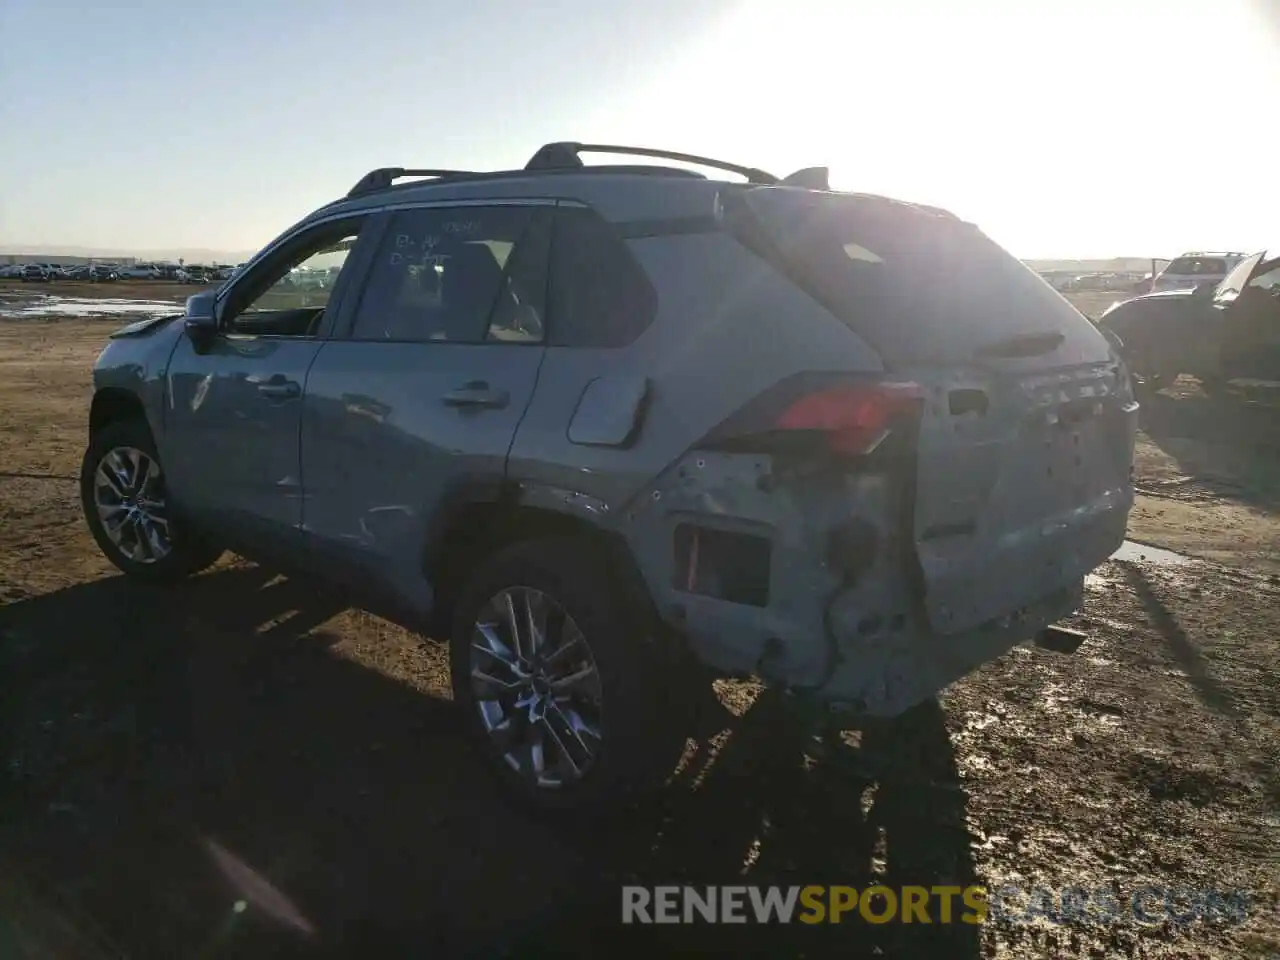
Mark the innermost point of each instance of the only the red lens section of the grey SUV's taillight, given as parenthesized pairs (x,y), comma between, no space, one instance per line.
(856,418)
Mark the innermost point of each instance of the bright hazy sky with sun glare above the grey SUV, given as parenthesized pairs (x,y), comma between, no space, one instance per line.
(1063,127)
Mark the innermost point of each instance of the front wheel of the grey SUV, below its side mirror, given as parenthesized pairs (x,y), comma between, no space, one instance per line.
(127,508)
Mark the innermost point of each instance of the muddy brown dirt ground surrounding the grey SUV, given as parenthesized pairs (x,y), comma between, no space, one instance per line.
(245,767)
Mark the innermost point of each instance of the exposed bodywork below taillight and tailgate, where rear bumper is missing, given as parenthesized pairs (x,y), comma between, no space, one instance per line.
(845,619)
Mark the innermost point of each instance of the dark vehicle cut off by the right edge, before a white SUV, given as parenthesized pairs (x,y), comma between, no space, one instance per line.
(1217,333)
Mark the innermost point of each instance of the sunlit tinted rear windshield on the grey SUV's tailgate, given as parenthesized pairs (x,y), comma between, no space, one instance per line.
(916,285)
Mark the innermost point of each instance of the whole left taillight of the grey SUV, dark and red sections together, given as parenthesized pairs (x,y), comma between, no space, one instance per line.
(844,417)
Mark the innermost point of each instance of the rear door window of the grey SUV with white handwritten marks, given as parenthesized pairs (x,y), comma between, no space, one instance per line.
(459,276)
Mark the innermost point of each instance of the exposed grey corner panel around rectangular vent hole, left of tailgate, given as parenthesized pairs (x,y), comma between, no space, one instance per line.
(838,570)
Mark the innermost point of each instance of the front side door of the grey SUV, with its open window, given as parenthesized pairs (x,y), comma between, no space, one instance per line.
(235,412)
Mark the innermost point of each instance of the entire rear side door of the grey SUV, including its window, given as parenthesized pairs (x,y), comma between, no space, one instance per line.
(415,408)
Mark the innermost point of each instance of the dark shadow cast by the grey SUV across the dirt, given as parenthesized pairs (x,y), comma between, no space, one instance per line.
(204,771)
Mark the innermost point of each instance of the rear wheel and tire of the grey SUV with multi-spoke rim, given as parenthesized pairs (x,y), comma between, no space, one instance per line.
(559,744)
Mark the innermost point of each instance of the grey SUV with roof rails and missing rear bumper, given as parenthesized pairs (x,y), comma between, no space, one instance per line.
(614,428)
